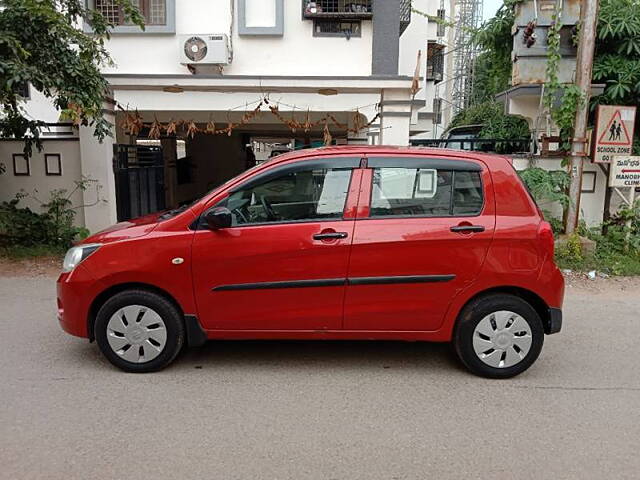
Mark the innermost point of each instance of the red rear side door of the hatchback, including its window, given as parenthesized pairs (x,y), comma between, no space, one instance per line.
(422,234)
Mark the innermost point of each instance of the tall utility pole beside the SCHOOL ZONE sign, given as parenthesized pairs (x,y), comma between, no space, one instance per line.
(586,47)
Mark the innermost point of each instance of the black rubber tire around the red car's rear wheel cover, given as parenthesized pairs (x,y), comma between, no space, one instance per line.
(478,309)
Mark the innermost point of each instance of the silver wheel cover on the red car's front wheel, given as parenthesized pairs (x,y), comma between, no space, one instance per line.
(136,333)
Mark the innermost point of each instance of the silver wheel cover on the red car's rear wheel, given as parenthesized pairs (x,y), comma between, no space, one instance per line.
(502,339)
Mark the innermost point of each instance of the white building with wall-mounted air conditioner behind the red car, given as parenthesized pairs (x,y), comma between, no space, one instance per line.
(350,61)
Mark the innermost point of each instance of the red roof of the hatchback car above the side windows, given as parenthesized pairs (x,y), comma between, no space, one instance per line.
(364,150)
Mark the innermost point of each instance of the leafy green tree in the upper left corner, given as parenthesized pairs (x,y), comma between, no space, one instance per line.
(42,43)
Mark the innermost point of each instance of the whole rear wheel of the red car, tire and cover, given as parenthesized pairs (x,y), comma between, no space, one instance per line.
(498,336)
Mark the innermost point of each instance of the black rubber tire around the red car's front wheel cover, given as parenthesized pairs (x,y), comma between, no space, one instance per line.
(169,314)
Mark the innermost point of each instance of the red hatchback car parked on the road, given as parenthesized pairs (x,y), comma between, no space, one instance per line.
(334,243)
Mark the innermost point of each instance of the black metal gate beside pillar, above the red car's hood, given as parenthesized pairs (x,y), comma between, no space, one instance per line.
(139,176)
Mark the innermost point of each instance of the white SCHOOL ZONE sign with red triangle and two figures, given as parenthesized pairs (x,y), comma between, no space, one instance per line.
(614,132)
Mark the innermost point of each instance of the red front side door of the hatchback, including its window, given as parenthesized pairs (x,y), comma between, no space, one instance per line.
(282,264)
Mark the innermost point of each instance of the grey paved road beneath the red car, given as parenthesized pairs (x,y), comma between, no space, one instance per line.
(299,410)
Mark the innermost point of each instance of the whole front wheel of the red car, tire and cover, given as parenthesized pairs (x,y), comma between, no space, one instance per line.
(139,331)
